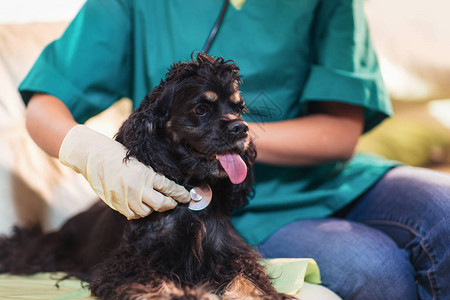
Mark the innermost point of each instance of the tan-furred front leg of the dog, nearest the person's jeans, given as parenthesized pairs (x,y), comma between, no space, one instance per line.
(241,288)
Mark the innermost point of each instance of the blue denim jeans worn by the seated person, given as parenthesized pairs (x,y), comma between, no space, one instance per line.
(391,243)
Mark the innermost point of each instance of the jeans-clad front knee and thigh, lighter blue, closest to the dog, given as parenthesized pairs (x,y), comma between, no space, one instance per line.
(355,261)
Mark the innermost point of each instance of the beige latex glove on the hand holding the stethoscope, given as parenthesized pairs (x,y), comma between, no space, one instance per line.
(130,187)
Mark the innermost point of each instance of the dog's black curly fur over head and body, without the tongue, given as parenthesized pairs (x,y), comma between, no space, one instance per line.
(178,254)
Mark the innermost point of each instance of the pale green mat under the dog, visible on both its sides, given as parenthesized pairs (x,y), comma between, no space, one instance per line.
(288,277)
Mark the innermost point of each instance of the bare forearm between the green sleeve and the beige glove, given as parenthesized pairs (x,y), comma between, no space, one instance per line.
(48,120)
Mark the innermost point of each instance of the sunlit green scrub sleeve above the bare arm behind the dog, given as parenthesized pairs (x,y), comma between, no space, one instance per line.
(345,67)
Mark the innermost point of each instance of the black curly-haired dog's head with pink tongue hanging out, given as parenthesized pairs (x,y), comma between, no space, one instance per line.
(190,127)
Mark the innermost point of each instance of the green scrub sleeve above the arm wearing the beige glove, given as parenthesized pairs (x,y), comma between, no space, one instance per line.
(88,68)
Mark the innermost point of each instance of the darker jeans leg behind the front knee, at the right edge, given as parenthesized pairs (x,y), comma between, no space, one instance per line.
(412,206)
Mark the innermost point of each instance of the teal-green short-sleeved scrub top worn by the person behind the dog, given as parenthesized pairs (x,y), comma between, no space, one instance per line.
(290,53)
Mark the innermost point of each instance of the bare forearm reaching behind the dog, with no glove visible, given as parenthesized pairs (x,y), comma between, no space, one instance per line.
(328,135)
